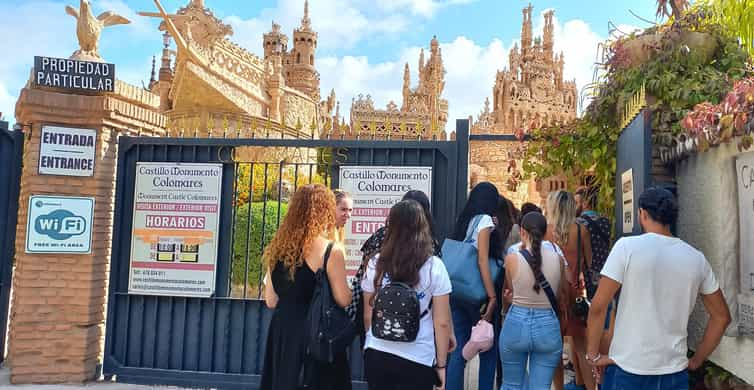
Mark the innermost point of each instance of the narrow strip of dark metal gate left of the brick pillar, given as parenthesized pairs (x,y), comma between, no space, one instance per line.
(11,156)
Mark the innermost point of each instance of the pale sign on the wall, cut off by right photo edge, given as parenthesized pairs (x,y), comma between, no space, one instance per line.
(745,179)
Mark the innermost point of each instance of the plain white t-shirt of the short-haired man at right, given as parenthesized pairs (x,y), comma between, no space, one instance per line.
(661,278)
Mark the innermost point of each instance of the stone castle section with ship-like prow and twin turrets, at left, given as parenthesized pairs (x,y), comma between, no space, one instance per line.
(210,82)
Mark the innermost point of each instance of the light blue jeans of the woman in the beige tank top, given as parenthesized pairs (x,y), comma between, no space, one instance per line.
(530,337)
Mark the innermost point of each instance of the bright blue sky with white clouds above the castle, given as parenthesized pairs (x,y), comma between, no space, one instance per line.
(363,44)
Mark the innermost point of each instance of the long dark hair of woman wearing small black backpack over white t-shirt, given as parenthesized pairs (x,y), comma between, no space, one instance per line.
(407,246)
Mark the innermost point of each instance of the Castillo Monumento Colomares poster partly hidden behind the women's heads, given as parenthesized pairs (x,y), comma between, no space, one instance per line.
(374,190)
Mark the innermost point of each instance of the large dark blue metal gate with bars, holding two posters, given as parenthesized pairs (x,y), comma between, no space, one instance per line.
(219,342)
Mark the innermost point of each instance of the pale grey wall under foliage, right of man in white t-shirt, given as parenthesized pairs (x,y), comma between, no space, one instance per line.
(709,221)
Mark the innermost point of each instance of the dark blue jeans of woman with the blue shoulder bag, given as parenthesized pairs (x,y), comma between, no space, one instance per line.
(464,317)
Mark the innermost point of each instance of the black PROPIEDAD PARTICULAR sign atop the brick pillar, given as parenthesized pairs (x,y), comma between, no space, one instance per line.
(74,74)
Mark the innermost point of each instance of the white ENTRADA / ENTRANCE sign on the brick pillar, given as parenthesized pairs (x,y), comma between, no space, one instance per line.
(67,151)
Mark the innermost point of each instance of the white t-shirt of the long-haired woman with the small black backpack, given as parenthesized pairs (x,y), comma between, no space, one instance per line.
(433,281)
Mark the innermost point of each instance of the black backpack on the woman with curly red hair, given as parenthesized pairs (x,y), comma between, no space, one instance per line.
(330,329)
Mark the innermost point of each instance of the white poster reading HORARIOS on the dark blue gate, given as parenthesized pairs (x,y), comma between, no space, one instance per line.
(175,224)
